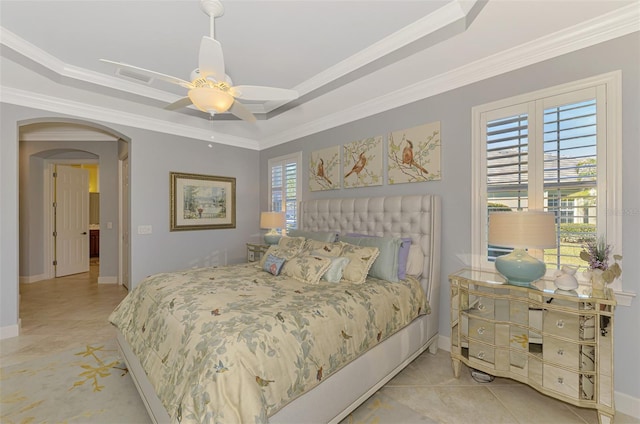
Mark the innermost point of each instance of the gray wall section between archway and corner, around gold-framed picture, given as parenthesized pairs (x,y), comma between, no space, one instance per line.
(152,157)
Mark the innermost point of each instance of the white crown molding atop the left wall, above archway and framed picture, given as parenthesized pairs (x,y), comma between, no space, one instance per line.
(101,114)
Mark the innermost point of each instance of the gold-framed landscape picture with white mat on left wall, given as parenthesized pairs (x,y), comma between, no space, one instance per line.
(201,202)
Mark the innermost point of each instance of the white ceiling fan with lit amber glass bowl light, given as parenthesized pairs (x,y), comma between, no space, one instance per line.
(210,89)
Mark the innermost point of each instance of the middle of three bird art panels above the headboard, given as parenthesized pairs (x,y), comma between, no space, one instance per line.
(362,163)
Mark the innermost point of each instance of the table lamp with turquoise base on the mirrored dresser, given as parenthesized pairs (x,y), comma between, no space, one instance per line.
(521,230)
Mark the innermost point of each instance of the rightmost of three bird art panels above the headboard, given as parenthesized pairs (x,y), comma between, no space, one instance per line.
(414,154)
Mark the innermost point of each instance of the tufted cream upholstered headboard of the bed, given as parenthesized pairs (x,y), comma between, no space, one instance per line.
(416,216)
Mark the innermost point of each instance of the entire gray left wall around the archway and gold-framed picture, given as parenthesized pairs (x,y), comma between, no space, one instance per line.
(151,156)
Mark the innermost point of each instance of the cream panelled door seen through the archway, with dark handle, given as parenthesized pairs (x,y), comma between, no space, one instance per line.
(72,220)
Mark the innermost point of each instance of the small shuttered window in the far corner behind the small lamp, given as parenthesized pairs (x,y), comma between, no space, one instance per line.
(284,187)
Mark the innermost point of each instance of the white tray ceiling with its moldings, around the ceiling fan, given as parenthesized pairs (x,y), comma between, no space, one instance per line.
(348,59)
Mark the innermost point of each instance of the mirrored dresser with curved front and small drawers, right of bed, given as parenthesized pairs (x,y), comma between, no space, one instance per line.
(558,342)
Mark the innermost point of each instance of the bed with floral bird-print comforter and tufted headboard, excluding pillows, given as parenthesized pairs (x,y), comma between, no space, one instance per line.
(324,385)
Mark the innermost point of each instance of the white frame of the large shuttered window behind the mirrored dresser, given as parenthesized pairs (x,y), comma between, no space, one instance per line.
(609,177)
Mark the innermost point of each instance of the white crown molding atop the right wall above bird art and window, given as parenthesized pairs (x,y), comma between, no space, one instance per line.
(618,23)
